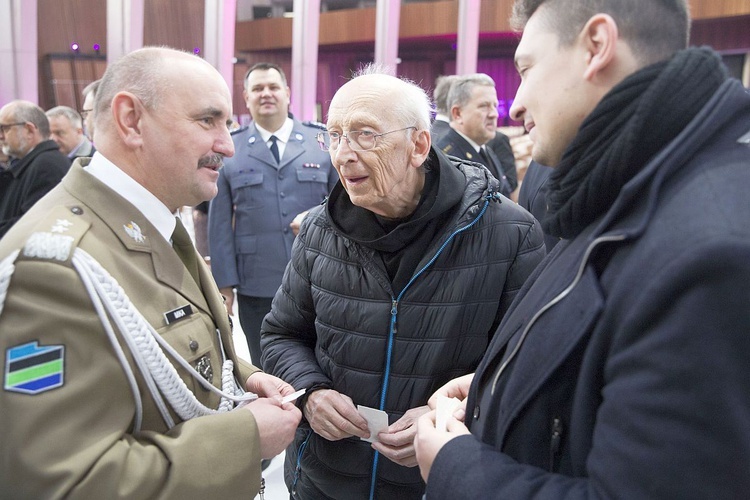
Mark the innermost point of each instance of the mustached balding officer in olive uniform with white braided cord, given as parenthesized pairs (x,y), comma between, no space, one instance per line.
(119,375)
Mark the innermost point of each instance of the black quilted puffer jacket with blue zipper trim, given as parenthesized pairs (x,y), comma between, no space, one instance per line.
(336,323)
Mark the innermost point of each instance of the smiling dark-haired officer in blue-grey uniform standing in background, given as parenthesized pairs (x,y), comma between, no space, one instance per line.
(277,173)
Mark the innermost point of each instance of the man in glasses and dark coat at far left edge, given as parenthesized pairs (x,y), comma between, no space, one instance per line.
(37,165)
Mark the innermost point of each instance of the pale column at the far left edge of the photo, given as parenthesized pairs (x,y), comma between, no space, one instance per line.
(19,56)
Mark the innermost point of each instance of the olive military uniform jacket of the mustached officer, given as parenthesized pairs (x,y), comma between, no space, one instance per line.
(70,430)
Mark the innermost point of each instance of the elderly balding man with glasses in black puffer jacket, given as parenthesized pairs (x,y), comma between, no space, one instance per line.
(396,284)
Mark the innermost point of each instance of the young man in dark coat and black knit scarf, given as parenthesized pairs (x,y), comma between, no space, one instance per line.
(621,369)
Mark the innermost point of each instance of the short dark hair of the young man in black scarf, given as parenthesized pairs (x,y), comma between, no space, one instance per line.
(655,29)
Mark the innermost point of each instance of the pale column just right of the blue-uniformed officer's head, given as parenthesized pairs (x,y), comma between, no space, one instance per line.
(305,28)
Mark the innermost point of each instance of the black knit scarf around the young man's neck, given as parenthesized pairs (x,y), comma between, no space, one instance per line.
(632,123)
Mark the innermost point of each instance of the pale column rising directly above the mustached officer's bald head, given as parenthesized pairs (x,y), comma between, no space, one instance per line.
(124,27)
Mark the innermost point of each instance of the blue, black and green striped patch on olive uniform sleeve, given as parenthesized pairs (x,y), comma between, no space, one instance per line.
(32,369)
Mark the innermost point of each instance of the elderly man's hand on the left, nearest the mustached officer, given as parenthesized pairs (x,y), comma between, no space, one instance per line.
(333,415)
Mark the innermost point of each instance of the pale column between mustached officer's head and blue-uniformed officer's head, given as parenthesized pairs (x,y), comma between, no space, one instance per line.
(218,44)
